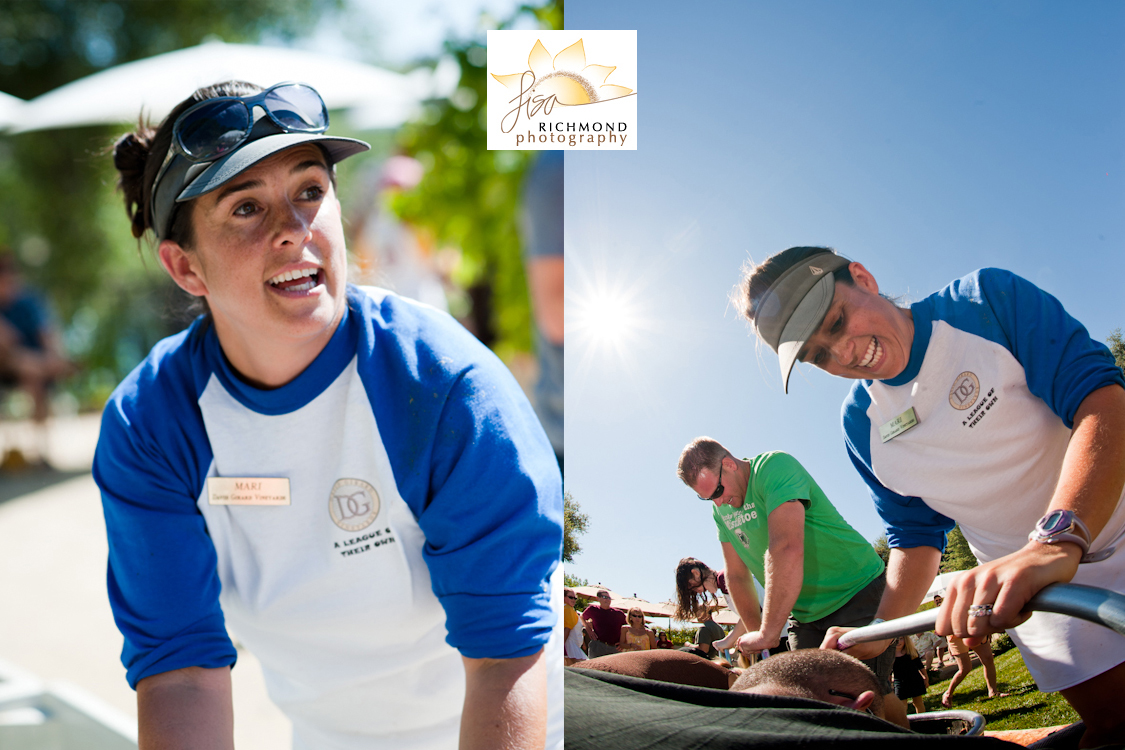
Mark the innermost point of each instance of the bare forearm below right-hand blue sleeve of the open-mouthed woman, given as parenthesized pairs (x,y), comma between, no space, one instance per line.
(506,704)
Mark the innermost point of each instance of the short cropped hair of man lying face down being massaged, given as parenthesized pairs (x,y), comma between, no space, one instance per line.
(811,674)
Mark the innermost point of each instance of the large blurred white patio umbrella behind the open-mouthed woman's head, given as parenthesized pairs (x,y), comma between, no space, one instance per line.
(156,85)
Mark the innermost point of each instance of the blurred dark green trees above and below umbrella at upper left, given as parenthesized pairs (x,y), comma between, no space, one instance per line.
(60,213)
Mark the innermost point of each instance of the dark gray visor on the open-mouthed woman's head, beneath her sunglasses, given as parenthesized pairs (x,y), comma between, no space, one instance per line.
(184,180)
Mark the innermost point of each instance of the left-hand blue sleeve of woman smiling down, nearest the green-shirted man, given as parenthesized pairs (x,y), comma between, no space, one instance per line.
(908,521)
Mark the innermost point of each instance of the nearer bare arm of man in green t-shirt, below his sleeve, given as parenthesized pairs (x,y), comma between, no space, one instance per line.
(785,576)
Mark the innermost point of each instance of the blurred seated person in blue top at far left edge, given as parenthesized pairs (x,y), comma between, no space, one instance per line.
(32,355)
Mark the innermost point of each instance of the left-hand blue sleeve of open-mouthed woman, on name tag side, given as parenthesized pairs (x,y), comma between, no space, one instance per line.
(164,584)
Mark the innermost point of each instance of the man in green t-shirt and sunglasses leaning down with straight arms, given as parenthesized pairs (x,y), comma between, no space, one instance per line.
(775,522)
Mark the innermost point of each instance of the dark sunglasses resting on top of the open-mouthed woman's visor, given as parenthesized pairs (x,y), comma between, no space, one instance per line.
(215,128)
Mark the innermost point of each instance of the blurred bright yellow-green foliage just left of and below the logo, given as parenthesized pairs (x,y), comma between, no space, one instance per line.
(471,200)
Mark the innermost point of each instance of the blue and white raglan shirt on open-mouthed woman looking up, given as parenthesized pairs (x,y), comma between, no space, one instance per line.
(425,522)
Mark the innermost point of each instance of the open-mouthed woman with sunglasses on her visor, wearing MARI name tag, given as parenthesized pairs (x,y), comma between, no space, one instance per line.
(330,472)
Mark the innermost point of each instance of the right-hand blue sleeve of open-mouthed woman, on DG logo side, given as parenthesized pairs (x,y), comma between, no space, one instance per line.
(474,465)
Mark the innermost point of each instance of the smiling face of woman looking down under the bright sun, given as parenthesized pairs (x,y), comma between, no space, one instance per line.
(863,337)
